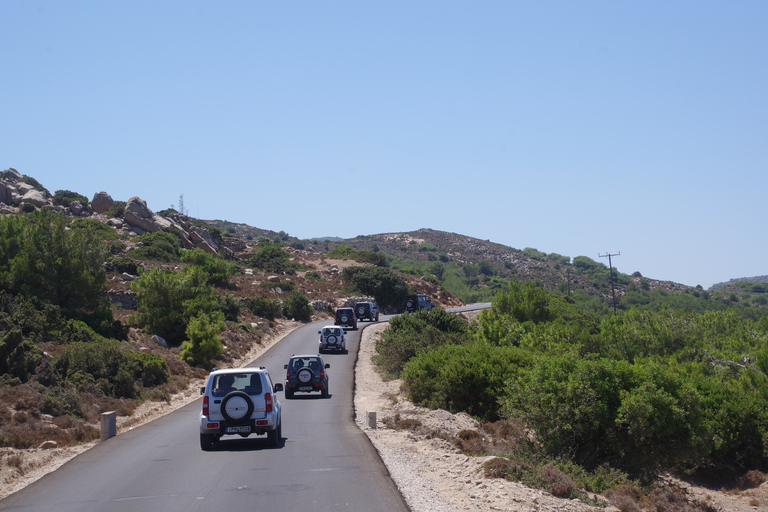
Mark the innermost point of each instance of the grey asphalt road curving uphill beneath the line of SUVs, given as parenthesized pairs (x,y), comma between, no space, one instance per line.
(324,462)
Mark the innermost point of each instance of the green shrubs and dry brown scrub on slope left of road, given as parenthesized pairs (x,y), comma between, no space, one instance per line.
(65,358)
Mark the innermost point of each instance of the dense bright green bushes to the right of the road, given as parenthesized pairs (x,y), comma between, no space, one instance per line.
(608,401)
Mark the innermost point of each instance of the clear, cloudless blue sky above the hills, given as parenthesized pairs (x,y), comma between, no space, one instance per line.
(578,128)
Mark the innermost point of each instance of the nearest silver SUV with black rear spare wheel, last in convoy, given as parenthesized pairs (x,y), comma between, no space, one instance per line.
(240,401)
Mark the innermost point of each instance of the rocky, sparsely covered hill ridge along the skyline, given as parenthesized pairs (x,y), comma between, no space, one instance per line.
(424,246)
